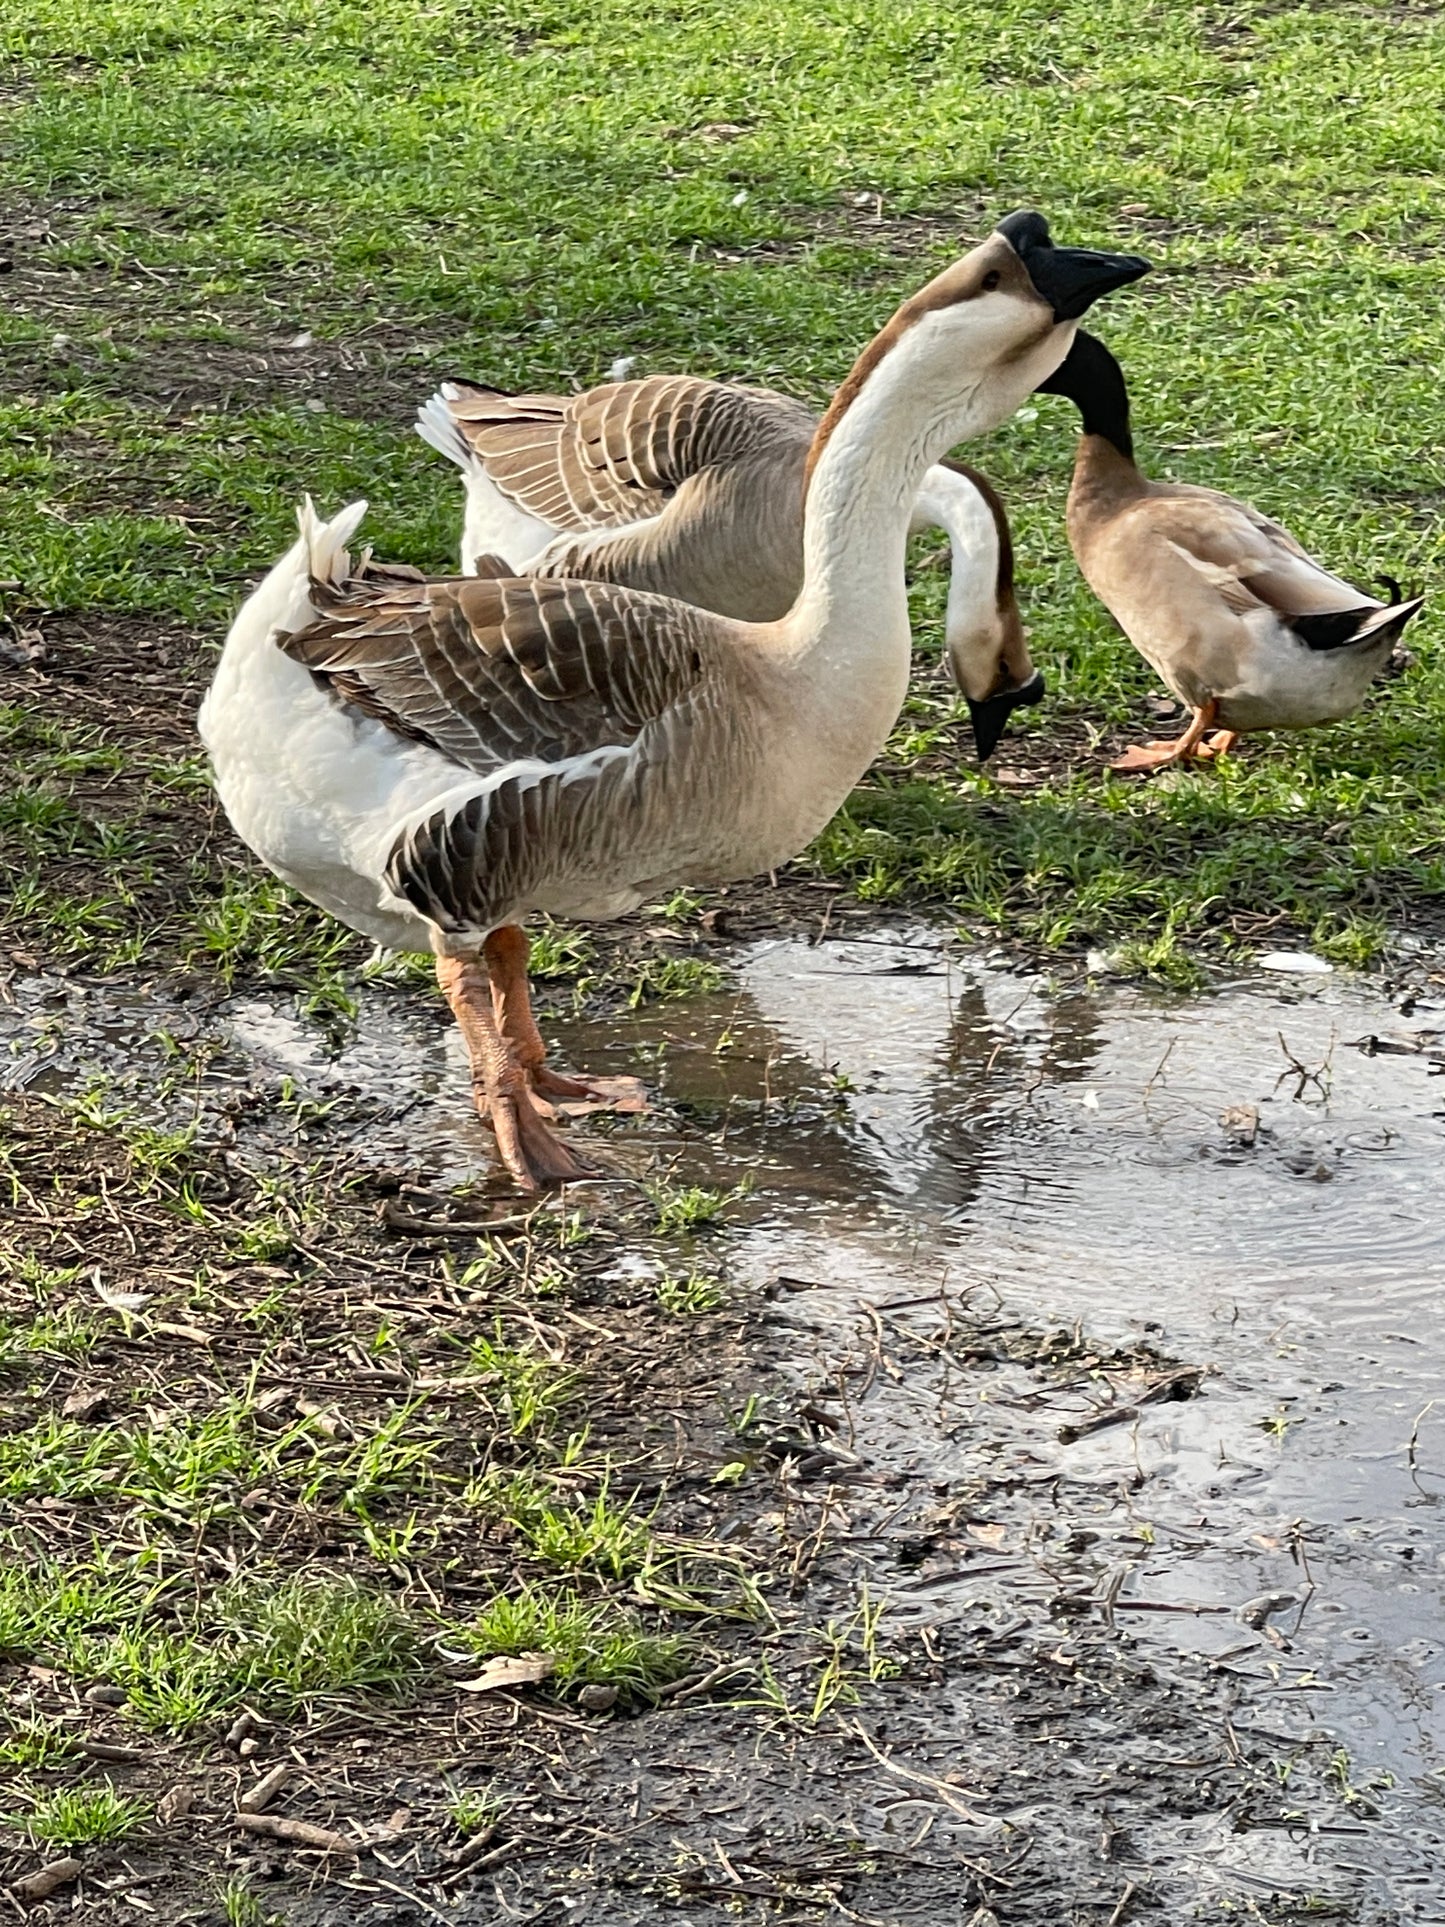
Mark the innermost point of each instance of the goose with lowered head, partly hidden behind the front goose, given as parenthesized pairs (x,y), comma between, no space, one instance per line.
(695,488)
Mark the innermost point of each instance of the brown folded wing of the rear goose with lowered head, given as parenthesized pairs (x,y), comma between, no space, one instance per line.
(617,454)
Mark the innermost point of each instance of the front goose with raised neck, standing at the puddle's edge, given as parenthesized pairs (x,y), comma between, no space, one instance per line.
(433,762)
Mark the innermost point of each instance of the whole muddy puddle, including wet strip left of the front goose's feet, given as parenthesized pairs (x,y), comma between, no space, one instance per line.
(1222,1223)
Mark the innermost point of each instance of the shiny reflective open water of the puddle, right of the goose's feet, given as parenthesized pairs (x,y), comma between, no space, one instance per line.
(1230,1180)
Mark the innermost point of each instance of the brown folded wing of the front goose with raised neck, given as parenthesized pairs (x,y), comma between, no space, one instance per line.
(502,670)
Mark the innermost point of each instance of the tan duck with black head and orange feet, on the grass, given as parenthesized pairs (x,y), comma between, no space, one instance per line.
(1244,627)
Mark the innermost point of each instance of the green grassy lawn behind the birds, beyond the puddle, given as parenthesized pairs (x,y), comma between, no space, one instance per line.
(527,192)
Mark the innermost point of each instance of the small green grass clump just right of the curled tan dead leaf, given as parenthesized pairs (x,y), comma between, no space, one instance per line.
(594,1643)
